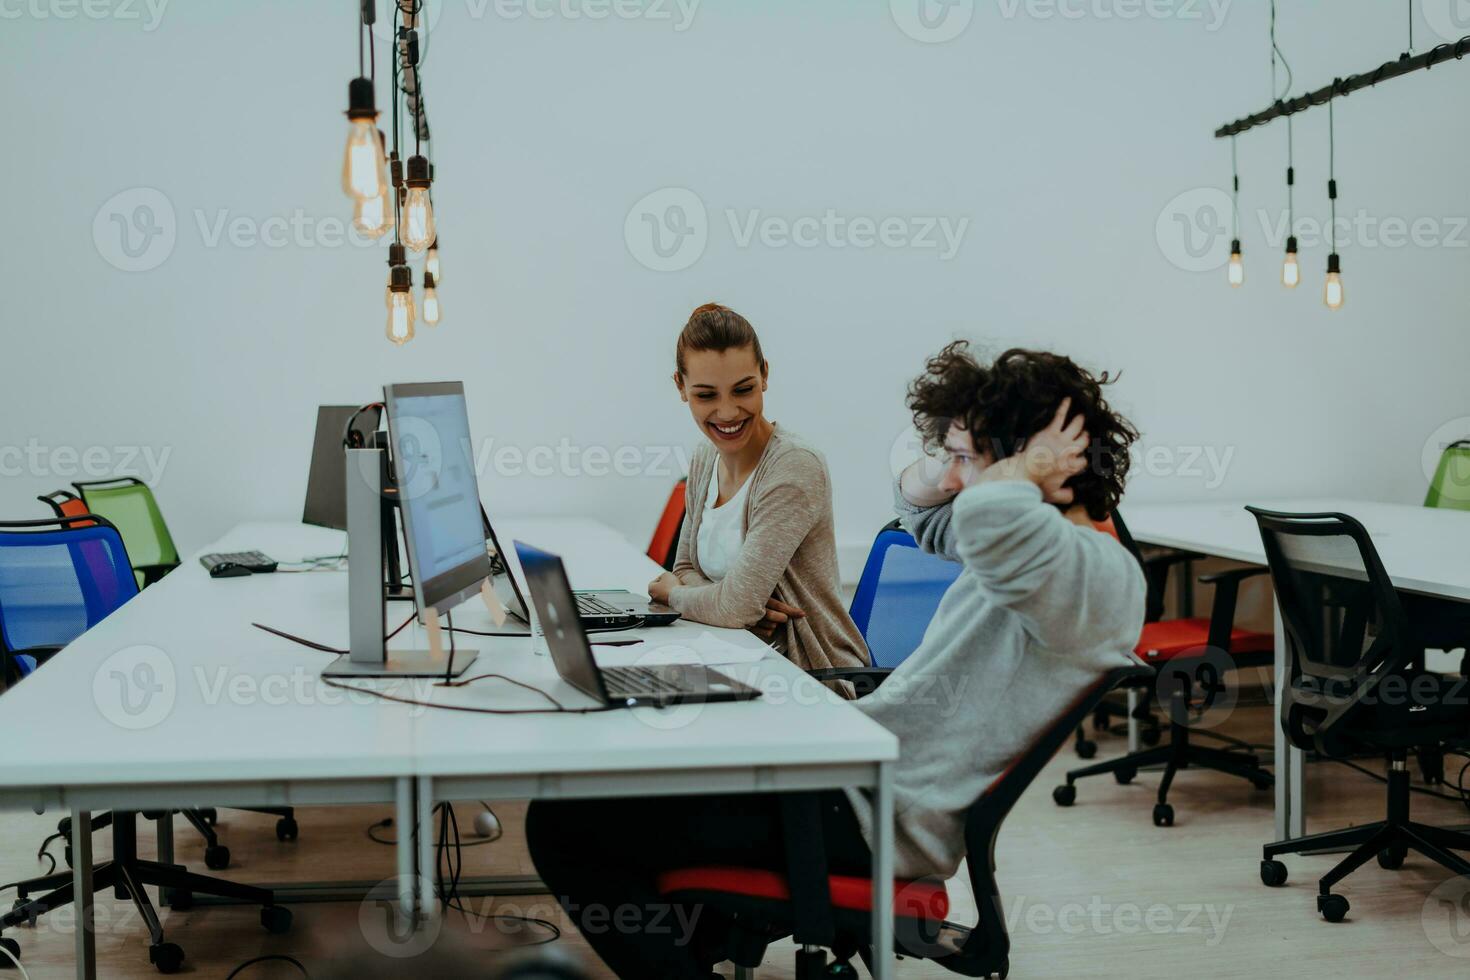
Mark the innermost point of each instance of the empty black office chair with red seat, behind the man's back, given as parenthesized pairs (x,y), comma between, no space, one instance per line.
(1188,655)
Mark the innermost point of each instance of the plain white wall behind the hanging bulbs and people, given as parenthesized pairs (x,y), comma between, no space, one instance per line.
(1062,140)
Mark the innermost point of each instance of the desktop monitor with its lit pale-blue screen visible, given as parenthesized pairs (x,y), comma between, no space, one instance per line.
(434,466)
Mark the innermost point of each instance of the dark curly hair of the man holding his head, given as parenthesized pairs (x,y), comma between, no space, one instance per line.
(1012,399)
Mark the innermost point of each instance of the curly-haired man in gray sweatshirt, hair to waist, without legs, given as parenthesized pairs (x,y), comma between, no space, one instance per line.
(1030,456)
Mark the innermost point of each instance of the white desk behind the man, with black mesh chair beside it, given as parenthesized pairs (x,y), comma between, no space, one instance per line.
(1422,549)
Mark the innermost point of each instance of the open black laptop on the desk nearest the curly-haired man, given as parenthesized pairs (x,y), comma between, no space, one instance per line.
(614,687)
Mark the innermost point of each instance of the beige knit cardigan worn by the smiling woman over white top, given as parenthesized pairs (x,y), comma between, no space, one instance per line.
(789,553)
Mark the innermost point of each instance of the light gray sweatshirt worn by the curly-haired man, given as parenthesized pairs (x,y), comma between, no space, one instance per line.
(1043,609)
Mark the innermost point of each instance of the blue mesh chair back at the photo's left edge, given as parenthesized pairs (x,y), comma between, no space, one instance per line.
(57,583)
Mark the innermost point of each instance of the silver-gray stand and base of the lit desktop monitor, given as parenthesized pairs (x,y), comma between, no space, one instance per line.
(367,610)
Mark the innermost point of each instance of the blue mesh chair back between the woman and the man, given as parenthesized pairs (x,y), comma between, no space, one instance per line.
(899,594)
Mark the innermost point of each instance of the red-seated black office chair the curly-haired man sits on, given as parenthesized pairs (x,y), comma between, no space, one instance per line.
(833,912)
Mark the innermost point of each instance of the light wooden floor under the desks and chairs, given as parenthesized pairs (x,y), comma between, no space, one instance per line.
(1090,891)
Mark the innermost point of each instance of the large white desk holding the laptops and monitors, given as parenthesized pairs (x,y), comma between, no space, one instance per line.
(212,712)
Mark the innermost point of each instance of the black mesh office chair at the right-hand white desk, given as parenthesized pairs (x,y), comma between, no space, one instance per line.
(1356,682)
